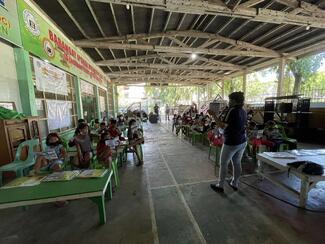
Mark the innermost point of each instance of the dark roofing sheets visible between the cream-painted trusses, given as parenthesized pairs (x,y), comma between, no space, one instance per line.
(116,19)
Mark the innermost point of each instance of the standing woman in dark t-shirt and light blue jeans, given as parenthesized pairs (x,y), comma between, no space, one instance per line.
(234,124)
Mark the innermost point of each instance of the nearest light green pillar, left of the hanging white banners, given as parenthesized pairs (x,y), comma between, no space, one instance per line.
(25,82)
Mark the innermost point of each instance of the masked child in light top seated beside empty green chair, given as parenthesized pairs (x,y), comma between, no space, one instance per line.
(53,156)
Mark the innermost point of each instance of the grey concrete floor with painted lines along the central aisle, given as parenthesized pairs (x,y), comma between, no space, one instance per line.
(168,200)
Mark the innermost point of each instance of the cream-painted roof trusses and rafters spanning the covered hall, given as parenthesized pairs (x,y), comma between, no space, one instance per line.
(168,49)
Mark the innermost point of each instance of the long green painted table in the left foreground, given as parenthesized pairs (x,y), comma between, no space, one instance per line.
(94,189)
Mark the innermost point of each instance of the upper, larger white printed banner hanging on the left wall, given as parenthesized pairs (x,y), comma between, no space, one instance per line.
(49,78)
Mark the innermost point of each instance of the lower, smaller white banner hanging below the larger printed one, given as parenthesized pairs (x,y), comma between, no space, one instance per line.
(59,115)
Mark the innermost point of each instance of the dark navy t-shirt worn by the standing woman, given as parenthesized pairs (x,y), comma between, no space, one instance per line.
(235,132)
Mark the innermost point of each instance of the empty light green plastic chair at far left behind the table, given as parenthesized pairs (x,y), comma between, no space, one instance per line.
(19,166)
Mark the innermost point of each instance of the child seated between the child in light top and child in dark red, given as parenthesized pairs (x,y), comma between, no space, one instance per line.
(83,145)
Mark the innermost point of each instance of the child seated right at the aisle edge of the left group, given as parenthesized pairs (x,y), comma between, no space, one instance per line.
(135,140)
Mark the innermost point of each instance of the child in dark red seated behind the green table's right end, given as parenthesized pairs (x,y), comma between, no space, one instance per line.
(104,152)
